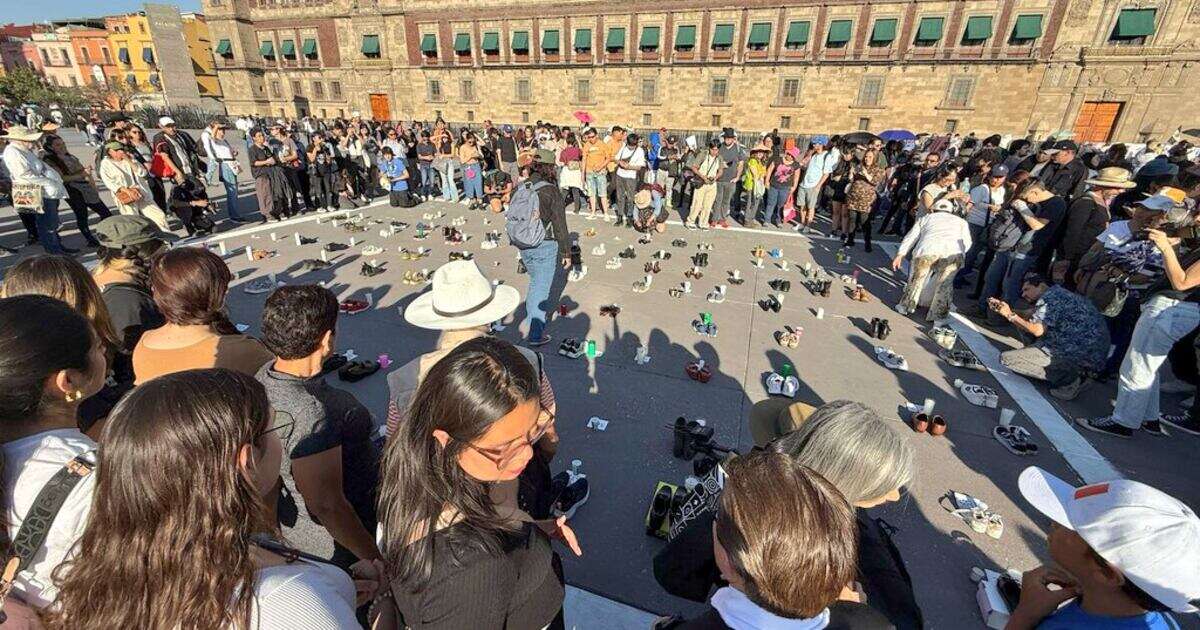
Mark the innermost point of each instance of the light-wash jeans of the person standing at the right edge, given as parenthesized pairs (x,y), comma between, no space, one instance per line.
(1163,322)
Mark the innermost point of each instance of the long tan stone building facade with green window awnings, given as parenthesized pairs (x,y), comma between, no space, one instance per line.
(1105,69)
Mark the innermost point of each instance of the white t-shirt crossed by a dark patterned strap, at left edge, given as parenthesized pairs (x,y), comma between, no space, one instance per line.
(29,465)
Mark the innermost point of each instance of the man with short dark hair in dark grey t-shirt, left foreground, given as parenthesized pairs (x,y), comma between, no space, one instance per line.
(334,463)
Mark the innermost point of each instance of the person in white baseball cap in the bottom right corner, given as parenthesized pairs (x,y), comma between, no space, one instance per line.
(1125,554)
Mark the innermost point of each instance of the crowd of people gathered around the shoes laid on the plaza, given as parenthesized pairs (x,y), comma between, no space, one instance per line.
(152,451)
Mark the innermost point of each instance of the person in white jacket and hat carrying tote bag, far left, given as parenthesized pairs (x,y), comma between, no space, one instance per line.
(41,184)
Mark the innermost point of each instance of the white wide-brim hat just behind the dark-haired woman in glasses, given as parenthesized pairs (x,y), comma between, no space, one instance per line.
(461,298)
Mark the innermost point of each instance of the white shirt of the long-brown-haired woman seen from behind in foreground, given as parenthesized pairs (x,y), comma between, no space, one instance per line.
(303,597)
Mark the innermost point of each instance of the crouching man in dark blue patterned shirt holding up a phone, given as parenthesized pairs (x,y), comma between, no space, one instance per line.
(1071,339)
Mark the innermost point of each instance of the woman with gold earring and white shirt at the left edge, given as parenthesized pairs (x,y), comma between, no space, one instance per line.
(51,362)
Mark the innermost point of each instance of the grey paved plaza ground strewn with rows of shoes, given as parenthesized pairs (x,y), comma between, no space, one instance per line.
(836,361)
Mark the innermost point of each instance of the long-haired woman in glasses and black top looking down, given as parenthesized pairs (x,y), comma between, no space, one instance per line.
(459,559)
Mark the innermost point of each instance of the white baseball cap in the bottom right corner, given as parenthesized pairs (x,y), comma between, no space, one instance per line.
(1153,538)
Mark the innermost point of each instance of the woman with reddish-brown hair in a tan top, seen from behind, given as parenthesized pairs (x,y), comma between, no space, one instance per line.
(189,286)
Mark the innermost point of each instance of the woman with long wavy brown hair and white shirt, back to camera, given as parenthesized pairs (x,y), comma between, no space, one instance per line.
(179,536)
